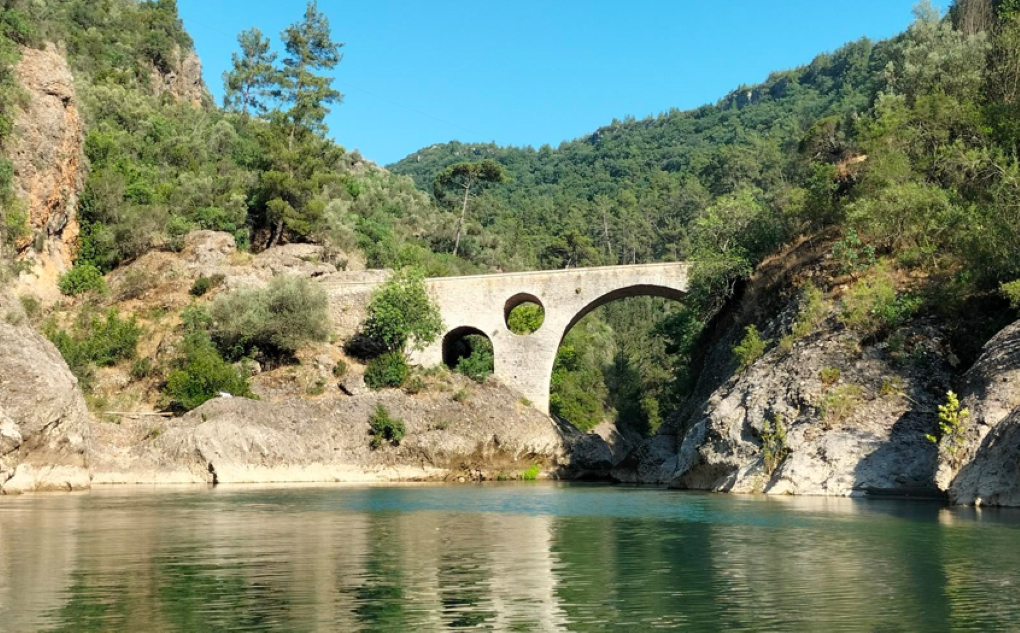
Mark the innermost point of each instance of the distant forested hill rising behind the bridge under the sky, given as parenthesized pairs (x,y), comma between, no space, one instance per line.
(629,192)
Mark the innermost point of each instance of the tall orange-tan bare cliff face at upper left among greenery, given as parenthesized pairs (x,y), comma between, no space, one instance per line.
(49,162)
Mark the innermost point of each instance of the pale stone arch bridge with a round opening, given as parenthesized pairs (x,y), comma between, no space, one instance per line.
(481,305)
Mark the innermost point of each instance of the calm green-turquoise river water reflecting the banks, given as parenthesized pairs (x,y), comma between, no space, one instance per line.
(502,557)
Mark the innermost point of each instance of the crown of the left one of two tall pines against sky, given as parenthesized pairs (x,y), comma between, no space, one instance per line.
(250,84)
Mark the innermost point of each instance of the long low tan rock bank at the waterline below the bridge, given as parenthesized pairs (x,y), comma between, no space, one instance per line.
(237,441)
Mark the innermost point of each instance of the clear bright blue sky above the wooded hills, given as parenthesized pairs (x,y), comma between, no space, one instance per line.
(538,72)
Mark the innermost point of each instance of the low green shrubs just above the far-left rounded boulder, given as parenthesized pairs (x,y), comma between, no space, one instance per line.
(95,341)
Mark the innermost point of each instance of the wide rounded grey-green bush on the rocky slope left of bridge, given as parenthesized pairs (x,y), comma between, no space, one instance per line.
(277,321)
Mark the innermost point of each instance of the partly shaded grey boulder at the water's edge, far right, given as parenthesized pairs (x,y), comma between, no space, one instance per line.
(991,457)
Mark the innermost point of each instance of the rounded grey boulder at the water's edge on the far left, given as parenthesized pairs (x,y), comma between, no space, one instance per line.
(44,421)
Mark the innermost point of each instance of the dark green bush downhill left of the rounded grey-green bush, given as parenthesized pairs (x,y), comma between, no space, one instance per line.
(202,375)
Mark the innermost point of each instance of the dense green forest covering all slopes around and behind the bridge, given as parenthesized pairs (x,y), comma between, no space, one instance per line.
(904,150)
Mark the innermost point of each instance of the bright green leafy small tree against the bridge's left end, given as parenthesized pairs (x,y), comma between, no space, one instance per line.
(402,313)
